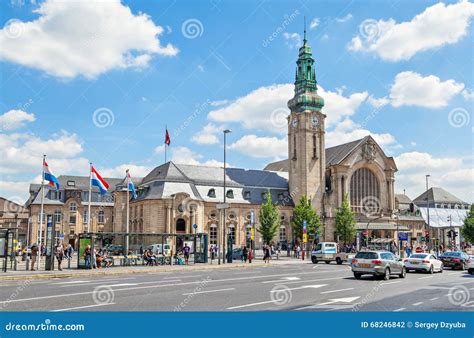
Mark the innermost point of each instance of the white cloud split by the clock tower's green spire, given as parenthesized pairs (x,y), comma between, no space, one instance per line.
(266,107)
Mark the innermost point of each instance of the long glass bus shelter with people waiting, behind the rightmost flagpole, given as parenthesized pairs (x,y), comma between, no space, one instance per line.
(163,244)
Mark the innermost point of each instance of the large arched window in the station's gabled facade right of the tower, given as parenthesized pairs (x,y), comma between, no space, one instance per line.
(365,191)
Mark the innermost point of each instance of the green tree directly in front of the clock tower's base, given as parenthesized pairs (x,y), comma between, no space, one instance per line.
(304,211)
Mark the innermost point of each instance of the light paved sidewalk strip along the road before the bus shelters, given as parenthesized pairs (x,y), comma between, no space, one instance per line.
(120,270)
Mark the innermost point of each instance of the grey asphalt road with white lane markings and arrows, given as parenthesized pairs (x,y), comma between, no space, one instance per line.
(293,287)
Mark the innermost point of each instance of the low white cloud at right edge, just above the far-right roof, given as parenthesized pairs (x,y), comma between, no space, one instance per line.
(453,174)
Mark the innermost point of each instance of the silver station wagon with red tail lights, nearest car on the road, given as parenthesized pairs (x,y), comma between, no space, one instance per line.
(378,264)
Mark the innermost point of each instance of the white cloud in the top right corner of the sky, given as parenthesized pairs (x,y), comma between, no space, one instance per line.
(435,27)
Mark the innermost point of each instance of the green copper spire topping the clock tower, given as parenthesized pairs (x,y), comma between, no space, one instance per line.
(305,82)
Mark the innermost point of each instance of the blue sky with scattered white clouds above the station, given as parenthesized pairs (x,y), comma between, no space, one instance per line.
(100,81)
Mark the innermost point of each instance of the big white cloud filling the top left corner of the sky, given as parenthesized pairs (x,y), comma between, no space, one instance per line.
(73,38)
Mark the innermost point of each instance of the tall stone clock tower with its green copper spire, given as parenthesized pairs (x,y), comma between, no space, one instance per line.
(306,148)
